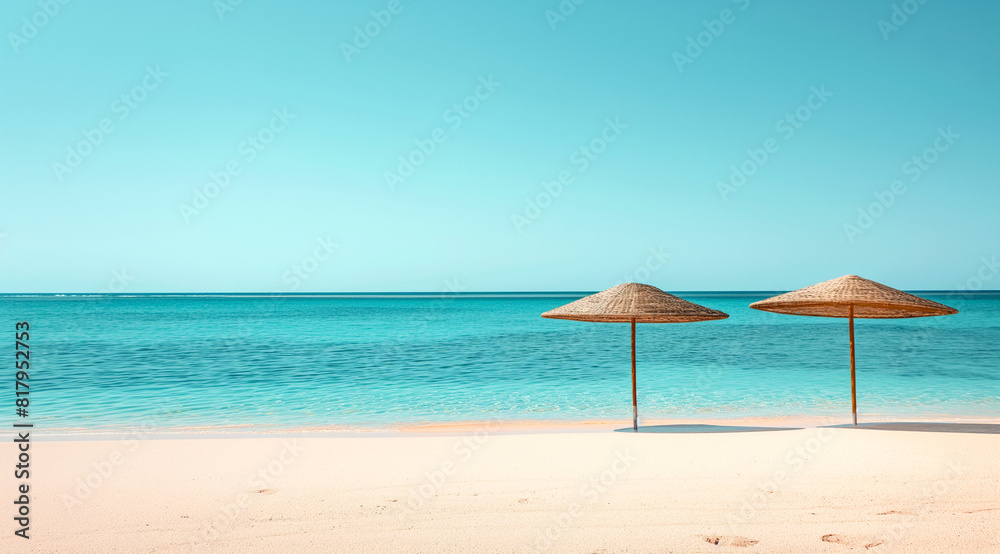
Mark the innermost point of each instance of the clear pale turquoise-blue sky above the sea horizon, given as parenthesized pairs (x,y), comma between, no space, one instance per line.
(198,81)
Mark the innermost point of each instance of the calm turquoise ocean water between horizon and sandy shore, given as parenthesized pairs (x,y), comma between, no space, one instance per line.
(106,363)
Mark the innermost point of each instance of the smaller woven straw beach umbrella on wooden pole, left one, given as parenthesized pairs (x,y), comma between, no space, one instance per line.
(635,303)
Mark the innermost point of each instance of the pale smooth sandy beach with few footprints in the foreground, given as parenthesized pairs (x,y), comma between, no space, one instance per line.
(670,488)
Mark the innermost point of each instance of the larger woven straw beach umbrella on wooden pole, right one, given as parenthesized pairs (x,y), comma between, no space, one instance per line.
(852,297)
